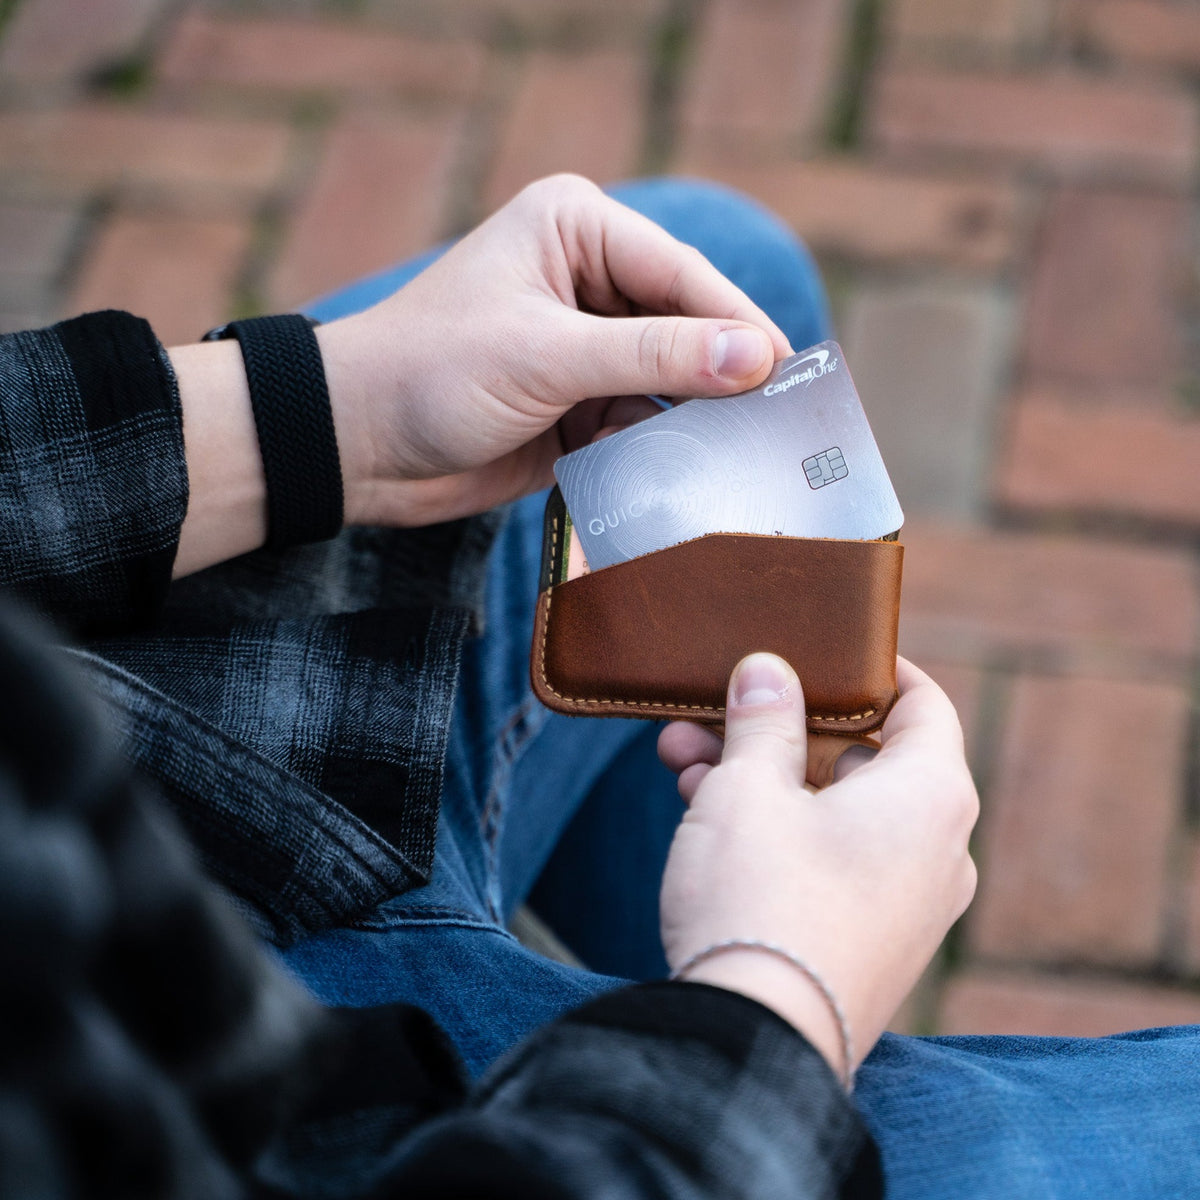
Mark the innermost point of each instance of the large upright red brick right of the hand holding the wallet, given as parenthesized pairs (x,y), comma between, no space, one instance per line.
(1078,824)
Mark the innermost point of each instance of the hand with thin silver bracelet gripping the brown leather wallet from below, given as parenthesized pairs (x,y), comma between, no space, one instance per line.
(861,880)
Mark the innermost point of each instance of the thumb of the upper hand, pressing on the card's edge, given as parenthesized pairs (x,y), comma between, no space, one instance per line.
(670,356)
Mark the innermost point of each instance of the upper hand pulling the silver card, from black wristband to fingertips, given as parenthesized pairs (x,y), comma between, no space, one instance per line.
(549,323)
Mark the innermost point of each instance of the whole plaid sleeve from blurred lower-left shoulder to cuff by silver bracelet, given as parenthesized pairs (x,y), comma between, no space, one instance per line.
(149,1048)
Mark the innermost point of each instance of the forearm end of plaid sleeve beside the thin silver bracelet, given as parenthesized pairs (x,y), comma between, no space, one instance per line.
(657,1091)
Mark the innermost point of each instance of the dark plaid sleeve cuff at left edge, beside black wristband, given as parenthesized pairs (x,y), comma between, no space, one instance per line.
(93,476)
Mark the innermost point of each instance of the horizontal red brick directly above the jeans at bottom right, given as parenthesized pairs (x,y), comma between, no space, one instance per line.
(1007,1003)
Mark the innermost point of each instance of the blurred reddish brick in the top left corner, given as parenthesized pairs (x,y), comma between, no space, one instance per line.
(56,41)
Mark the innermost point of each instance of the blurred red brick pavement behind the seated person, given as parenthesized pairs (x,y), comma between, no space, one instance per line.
(1003,194)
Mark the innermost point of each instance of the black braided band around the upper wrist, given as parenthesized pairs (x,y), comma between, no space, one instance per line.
(295,421)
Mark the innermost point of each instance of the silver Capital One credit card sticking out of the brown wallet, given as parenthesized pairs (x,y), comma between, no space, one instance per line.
(795,457)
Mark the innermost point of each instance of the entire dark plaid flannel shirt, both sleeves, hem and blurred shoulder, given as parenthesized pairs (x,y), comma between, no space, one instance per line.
(149,1046)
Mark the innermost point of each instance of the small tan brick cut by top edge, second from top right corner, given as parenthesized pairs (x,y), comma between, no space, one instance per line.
(981,28)
